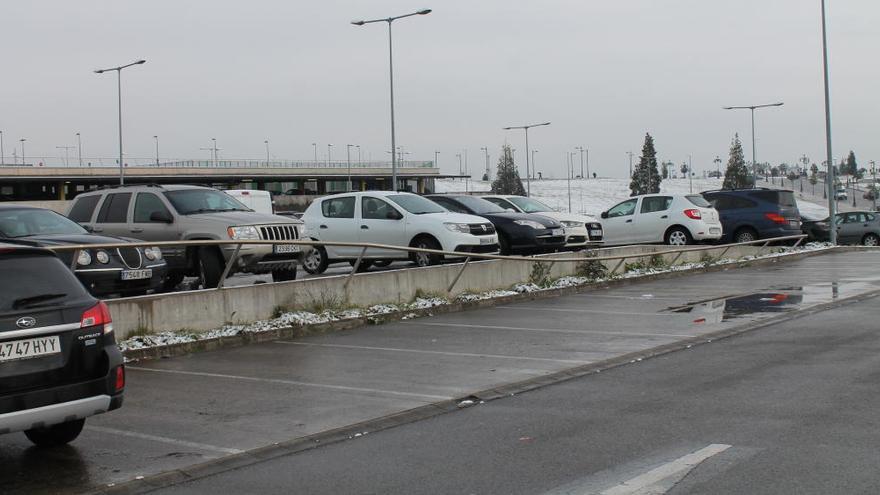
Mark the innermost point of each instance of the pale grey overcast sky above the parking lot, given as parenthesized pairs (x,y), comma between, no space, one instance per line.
(296,73)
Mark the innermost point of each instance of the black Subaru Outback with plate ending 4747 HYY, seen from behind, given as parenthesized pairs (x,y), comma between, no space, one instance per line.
(59,363)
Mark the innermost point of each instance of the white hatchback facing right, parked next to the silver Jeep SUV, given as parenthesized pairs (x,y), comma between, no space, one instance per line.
(397,219)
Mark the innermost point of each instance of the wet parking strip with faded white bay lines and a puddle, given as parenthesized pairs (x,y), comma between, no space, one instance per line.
(189,410)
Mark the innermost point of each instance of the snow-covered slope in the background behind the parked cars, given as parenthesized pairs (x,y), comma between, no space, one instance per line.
(593,196)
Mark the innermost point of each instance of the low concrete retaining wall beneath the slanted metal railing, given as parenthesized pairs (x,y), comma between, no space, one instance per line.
(208,309)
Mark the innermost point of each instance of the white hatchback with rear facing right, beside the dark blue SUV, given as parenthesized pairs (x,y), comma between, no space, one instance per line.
(674,219)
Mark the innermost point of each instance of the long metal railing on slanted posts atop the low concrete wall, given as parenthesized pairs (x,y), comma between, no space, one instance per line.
(468,257)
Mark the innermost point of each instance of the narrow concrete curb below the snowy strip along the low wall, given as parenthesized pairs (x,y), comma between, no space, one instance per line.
(184,348)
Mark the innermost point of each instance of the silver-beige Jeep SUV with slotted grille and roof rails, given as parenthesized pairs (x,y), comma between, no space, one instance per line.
(178,212)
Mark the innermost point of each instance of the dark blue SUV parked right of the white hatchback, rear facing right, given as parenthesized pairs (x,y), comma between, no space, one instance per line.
(752,214)
